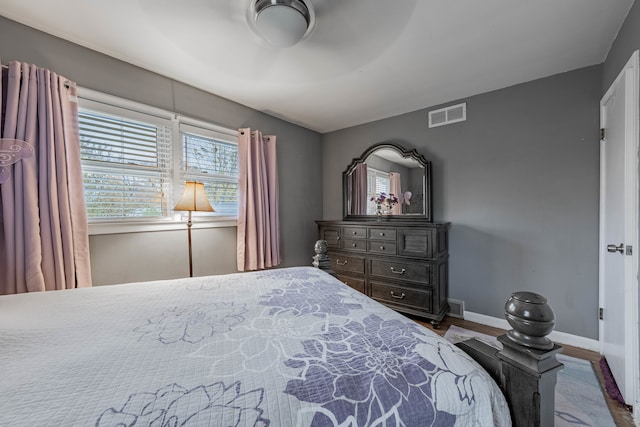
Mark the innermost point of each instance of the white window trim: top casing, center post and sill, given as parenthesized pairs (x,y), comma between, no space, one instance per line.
(111,105)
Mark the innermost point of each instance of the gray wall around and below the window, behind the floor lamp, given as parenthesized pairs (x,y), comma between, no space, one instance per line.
(158,255)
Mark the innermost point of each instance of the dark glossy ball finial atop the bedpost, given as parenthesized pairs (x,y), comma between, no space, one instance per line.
(531,318)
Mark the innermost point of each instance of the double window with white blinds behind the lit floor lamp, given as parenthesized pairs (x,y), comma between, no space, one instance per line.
(135,159)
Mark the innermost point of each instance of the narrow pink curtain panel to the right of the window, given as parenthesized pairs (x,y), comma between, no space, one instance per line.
(258,214)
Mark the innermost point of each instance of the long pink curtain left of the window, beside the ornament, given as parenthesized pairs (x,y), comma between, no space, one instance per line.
(44,242)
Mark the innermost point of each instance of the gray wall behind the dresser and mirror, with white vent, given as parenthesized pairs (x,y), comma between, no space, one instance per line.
(519,182)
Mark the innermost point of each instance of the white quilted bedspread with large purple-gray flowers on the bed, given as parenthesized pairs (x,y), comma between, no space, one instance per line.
(286,347)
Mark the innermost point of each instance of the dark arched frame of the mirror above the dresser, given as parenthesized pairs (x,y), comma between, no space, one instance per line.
(413,154)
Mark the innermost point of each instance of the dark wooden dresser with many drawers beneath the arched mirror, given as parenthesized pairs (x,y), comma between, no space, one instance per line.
(402,264)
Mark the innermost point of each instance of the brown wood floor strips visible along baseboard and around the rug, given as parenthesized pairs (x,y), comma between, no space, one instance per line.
(621,415)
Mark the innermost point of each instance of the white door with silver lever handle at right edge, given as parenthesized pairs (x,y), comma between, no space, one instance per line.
(618,230)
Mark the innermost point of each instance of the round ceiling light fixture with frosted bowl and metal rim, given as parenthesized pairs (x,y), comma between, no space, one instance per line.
(282,23)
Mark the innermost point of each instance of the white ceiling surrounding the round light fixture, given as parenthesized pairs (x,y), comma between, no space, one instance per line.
(365,60)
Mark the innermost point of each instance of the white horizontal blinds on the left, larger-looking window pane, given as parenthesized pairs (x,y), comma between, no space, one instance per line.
(126,165)
